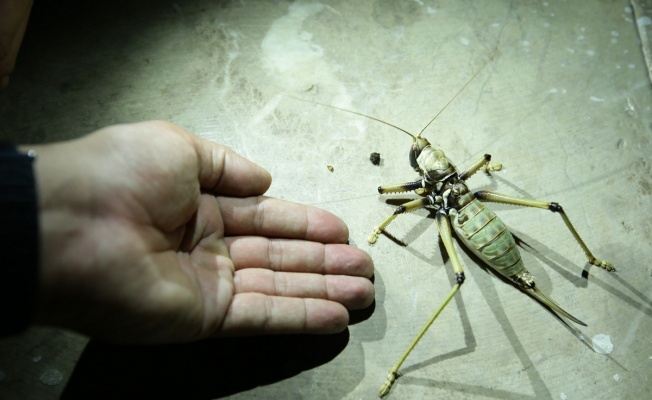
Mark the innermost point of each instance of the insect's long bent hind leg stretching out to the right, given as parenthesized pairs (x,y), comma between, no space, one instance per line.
(487,195)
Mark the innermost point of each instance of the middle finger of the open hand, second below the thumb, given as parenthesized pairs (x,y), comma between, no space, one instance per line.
(284,255)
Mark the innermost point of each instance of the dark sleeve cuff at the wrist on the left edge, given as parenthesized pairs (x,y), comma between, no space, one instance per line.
(19,240)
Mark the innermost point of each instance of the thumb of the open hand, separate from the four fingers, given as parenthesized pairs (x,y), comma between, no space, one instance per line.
(223,171)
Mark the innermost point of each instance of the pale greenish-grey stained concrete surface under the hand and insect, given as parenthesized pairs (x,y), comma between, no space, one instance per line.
(565,105)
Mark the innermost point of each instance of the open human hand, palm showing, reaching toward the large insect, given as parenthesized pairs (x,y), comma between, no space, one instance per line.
(151,234)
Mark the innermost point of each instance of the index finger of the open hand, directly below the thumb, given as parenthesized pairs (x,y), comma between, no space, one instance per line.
(266,216)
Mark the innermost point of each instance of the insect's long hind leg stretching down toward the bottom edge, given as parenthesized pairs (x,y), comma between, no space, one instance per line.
(444,227)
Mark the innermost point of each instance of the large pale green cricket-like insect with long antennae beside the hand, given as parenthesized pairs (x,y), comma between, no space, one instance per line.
(442,187)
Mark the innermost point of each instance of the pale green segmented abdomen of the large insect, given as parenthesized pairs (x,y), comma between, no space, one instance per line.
(488,237)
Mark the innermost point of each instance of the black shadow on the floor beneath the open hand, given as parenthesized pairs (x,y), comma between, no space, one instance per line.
(202,370)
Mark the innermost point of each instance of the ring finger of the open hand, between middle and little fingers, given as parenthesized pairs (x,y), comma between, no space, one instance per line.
(354,293)
